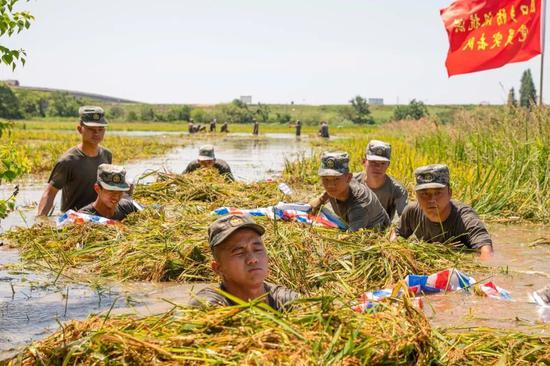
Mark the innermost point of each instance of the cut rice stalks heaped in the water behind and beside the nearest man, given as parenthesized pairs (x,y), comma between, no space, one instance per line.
(172,244)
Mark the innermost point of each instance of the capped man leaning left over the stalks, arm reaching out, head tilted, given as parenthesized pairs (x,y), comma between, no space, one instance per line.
(355,203)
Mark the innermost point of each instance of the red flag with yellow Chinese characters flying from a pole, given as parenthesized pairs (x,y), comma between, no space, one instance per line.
(486,34)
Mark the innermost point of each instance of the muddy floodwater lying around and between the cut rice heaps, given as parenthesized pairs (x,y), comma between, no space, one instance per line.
(33,304)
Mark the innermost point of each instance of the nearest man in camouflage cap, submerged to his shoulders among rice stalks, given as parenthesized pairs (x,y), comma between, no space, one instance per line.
(240,259)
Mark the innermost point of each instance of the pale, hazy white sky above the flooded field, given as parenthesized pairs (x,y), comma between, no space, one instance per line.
(212,51)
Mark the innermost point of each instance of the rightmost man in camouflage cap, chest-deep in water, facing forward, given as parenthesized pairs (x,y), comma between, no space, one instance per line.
(436,218)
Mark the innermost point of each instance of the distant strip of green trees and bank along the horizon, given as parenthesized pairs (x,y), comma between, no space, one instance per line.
(32,104)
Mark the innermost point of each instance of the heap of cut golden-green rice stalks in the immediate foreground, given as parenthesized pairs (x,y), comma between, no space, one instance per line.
(319,331)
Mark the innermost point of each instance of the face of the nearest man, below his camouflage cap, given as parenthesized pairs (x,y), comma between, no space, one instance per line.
(242,259)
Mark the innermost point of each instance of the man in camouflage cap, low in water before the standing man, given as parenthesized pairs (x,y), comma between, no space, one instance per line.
(110,187)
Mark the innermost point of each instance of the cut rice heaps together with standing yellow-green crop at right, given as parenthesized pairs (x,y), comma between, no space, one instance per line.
(500,168)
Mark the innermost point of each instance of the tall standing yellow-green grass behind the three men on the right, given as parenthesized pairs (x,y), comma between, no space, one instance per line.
(498,159)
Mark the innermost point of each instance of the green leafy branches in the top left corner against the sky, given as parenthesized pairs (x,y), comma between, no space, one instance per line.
(12,22)
